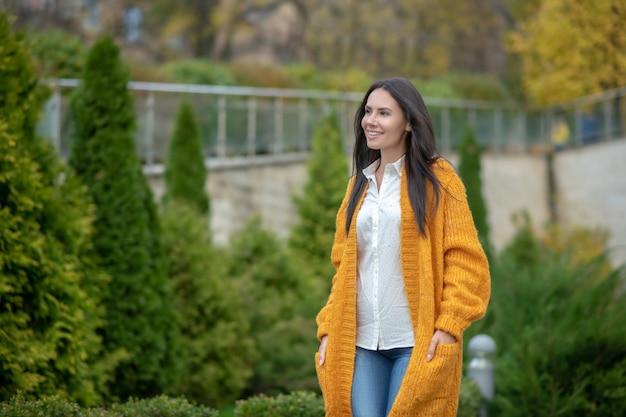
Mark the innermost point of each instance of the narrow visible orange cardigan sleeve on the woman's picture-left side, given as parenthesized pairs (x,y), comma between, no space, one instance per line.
(322,318)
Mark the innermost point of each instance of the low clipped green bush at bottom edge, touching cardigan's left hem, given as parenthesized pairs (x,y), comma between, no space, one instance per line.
(295,404)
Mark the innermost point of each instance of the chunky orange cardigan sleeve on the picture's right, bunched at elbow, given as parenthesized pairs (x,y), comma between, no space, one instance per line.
(466,278)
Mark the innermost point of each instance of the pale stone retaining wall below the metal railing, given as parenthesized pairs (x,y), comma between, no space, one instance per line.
(590,183)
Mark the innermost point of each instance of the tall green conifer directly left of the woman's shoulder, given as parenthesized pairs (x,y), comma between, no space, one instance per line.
(327,170)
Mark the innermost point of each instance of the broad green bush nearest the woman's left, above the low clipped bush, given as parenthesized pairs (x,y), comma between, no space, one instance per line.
(273,294)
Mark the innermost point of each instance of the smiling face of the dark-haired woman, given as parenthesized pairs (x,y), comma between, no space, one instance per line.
(385,125)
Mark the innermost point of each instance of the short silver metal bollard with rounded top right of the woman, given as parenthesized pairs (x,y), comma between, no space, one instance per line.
(481,368)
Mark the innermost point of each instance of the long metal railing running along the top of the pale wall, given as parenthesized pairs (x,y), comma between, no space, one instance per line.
(237,122)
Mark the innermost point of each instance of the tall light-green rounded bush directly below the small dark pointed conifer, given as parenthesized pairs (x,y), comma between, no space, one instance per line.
(217,346)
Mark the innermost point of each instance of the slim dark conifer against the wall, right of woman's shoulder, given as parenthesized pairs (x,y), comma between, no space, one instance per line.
(469,170)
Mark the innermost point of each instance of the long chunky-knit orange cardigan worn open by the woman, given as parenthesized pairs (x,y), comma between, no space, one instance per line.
(447,282)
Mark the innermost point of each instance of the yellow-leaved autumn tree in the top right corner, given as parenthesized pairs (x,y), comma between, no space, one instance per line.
(572,49)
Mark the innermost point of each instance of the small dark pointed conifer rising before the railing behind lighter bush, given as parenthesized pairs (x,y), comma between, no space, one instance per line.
(185,172)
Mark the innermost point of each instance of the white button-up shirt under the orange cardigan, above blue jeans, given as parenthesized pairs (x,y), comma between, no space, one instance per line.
(383,319)
